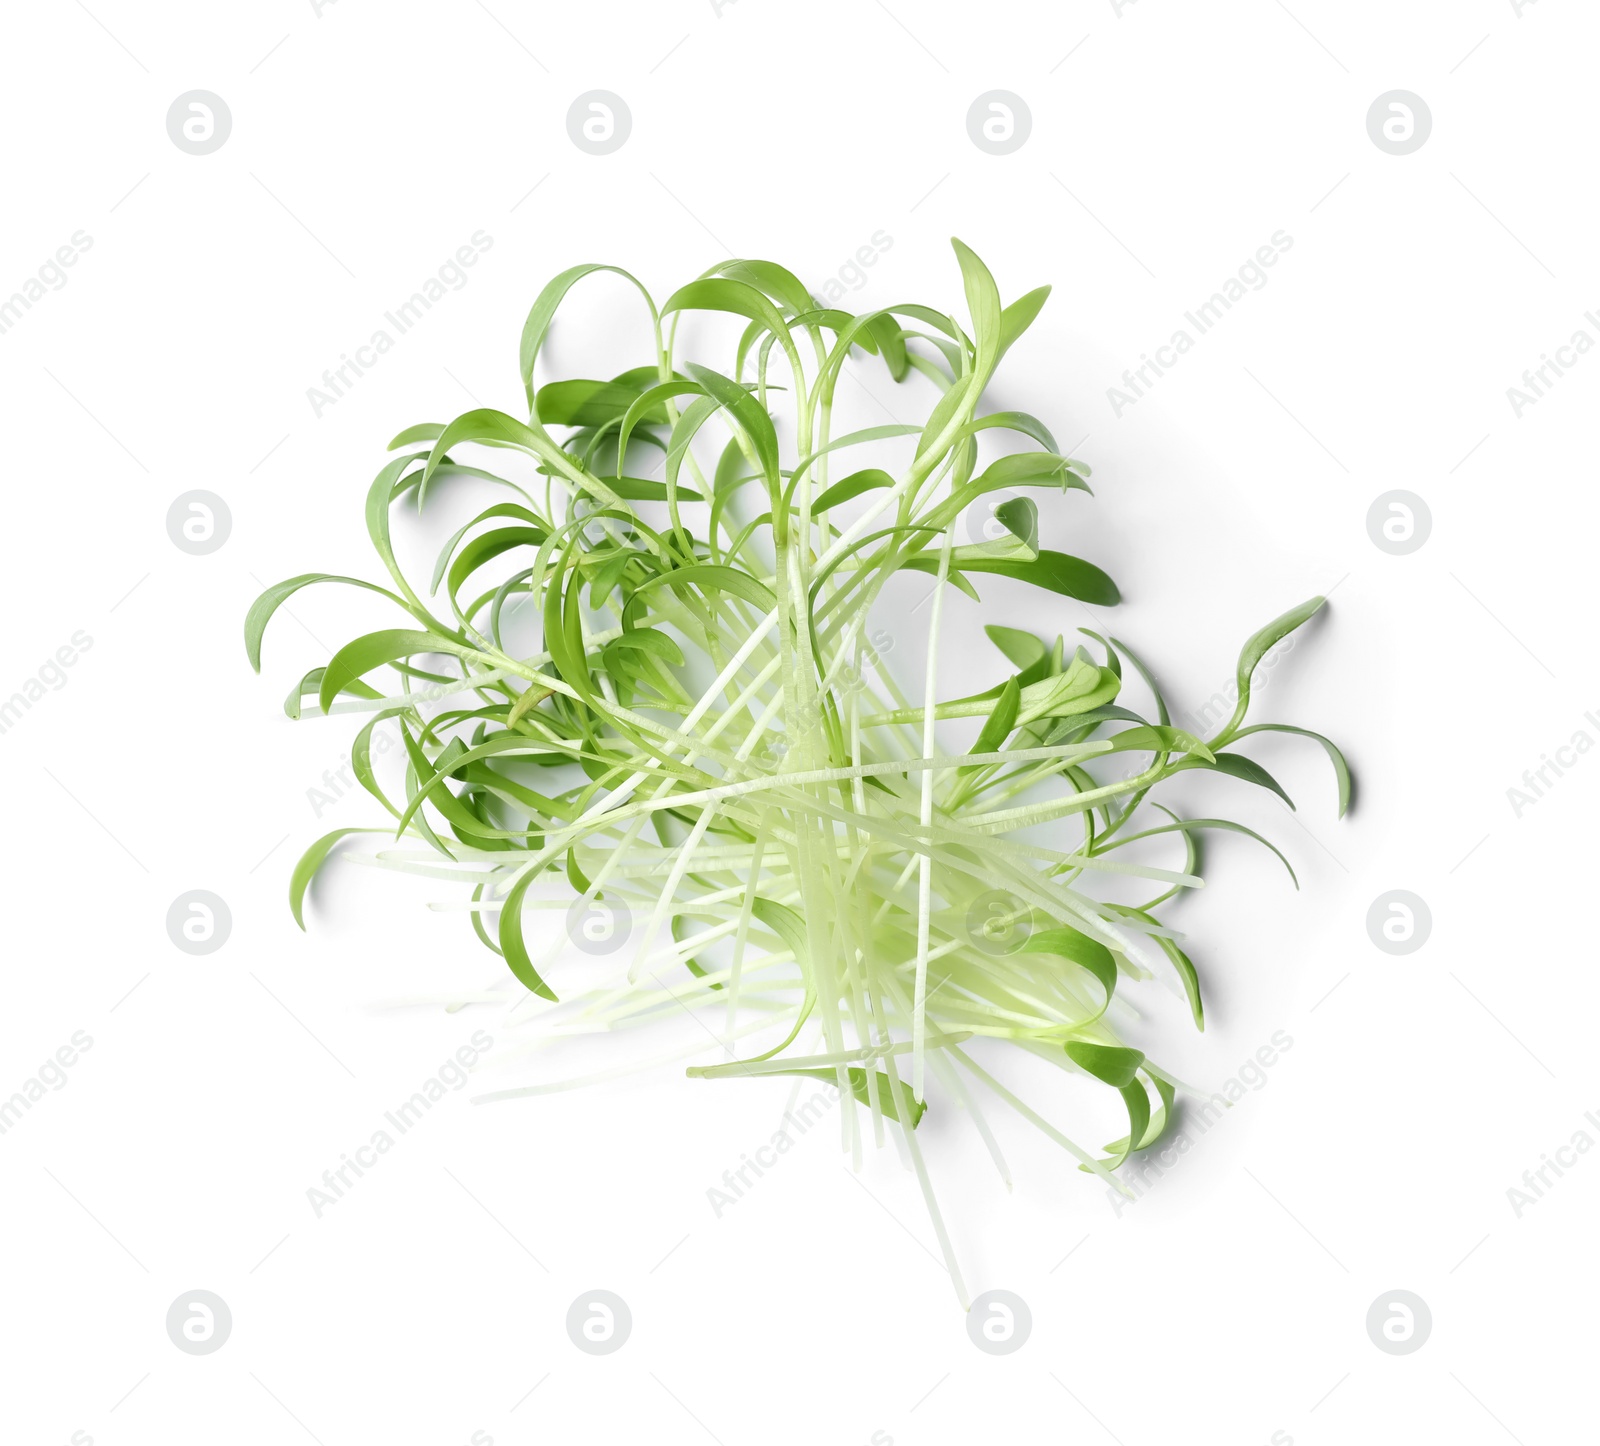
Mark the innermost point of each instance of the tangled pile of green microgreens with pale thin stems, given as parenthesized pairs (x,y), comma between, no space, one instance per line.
(708,748)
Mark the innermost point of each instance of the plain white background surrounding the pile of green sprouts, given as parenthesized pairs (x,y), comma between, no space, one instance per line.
(1169,143)
